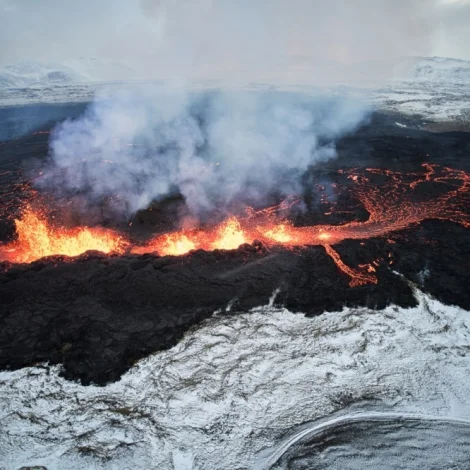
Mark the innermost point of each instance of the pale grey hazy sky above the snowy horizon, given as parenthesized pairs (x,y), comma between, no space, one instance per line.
(185,35)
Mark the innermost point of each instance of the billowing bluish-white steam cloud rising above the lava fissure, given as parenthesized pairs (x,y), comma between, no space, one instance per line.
(217,148)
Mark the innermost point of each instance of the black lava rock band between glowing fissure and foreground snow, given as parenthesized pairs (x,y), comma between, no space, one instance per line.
(97,315)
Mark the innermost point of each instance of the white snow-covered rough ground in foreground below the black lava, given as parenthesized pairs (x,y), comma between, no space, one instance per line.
(237,385)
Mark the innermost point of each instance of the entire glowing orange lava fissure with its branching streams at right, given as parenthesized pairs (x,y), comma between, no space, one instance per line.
(393,204)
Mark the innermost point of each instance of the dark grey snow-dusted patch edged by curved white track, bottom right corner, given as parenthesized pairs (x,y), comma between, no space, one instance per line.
(385,443)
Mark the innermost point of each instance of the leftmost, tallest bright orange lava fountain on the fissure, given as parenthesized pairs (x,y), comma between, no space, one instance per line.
(37,238)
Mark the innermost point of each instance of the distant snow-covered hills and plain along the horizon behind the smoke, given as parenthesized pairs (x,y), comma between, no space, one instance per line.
(434,88)
